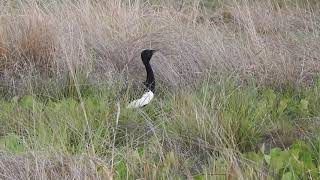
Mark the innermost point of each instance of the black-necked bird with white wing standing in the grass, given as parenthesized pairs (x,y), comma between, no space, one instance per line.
(149,84)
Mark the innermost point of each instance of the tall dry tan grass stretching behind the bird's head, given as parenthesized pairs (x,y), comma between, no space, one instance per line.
(252,39)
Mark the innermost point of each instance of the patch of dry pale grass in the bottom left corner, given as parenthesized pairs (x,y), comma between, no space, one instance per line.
(36,166)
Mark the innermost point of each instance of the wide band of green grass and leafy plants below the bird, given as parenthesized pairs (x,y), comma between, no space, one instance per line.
(189,133)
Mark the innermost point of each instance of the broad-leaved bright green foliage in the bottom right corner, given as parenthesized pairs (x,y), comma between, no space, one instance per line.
(299,161)
